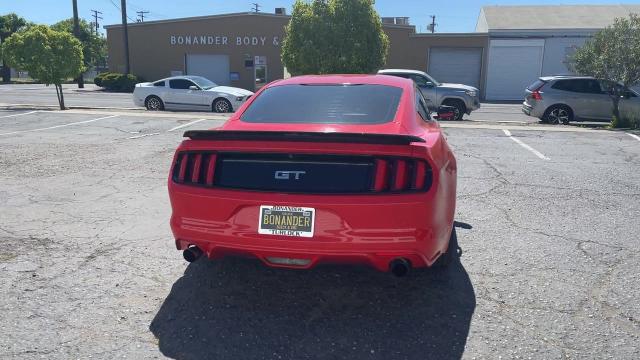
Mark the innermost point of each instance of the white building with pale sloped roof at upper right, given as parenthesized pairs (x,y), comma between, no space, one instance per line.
(526,42)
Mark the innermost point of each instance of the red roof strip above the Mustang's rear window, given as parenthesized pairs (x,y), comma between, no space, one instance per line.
(346,79)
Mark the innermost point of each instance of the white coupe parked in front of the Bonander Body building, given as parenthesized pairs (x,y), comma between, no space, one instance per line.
(189,93)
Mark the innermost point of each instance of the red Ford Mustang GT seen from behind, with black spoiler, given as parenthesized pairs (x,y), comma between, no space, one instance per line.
(339,168)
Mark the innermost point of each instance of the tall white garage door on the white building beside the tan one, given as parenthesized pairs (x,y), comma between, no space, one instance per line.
(512,66)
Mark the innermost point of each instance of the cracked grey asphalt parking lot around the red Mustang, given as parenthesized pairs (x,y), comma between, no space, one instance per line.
(550,268)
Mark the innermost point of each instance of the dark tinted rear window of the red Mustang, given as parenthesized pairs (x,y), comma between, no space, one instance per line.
(325,104)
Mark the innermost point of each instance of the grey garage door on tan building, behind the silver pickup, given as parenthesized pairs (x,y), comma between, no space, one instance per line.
(456,65)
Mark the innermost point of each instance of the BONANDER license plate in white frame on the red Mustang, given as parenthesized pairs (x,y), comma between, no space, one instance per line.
(286,221)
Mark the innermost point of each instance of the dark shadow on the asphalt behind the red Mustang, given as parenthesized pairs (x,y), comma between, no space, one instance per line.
(240,309)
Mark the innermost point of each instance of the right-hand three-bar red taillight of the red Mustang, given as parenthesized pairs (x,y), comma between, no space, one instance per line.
(401,175)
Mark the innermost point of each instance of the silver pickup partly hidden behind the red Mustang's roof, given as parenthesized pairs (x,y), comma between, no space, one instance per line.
(463,98)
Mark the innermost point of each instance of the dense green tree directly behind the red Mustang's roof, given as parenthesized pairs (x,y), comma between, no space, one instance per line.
(334,36)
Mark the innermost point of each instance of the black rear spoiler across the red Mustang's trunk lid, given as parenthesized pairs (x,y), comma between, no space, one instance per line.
(331,137)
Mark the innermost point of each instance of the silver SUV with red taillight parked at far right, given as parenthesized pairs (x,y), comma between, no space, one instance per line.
(562,99)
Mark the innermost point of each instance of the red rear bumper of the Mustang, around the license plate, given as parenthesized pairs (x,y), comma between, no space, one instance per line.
(362,229)
